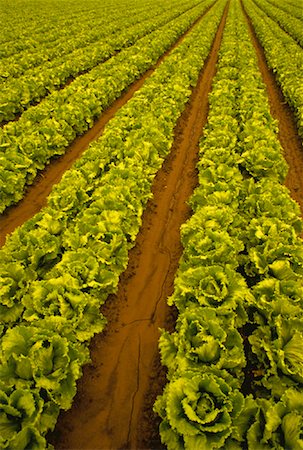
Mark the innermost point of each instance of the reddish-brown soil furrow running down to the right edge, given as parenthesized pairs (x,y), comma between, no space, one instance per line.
(281,111)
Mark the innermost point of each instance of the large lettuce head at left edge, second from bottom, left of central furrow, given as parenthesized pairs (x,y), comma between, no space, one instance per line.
(32,357)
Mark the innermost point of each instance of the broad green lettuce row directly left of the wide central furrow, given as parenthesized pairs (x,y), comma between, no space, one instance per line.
(60,266)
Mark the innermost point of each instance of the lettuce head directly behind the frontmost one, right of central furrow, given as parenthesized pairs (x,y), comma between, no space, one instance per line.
(203,339)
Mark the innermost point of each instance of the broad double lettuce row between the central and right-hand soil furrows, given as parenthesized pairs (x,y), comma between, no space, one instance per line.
(235,365)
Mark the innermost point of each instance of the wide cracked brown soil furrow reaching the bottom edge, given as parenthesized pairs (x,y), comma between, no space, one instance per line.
(113,406)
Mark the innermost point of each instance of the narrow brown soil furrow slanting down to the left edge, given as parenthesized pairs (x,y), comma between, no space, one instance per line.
(35,197)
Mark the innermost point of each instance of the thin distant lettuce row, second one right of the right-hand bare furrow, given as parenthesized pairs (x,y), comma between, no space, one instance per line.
(290,24)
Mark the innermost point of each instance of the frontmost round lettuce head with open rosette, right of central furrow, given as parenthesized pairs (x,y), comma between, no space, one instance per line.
(198,411)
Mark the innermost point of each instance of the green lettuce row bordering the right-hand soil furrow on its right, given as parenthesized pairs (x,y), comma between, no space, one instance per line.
(283,55)
